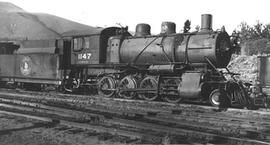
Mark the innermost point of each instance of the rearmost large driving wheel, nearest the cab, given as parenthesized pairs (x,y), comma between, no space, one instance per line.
(107,86)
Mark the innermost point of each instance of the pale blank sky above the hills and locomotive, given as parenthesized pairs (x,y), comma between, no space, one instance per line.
(229,13)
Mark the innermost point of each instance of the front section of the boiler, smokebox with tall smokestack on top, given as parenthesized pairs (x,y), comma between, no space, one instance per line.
(200,47)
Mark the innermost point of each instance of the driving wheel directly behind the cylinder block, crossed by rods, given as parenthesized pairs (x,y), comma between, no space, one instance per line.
(170,91)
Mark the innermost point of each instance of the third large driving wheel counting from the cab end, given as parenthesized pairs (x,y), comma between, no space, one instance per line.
(151,84)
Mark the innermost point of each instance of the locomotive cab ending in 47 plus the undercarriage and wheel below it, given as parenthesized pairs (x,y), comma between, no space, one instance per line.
(85,55)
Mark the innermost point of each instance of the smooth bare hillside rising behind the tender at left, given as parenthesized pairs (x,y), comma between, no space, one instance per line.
(17,24)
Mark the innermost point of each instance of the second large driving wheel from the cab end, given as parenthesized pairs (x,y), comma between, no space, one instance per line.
(127,82)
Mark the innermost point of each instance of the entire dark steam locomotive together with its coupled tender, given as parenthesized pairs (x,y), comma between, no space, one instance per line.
(169,66)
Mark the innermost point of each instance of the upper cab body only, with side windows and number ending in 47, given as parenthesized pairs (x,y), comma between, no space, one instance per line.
(89,48)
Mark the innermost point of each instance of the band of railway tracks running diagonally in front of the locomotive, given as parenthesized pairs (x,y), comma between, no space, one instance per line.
(192,123)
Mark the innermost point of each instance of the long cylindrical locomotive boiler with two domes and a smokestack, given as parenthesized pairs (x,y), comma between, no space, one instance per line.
(172,48)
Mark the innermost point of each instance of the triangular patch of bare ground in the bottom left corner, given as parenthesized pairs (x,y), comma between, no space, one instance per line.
(16,130)
